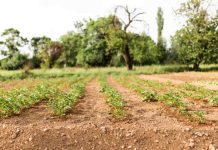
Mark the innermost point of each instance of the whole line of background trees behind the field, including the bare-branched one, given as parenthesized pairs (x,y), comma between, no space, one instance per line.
(107,41)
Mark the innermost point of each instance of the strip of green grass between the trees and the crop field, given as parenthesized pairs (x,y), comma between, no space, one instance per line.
(66,72)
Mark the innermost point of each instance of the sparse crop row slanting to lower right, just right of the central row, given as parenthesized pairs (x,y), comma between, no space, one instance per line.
(155,91)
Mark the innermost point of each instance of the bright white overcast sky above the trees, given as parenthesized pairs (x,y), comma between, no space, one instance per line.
(54,18)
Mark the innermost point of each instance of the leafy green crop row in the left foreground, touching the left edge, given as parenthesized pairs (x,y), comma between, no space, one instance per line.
(14,101)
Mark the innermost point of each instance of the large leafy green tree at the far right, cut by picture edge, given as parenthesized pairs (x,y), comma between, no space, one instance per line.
(196,42)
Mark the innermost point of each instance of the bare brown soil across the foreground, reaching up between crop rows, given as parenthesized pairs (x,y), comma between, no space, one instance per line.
(91,127)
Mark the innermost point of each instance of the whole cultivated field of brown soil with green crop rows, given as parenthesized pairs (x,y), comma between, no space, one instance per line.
(109,109)
